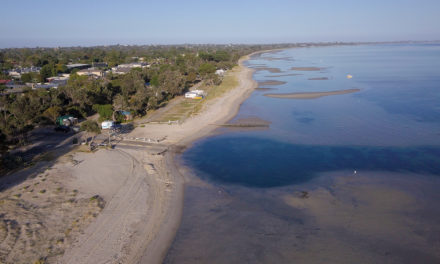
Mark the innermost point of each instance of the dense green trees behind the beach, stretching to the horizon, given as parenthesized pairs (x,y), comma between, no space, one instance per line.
(171,71)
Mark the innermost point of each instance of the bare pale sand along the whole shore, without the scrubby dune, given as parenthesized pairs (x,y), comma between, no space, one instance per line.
(144,208)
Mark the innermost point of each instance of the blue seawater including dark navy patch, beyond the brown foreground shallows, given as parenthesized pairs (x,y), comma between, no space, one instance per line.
(391,124)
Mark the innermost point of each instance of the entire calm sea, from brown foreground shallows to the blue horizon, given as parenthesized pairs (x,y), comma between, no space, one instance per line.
(346,169)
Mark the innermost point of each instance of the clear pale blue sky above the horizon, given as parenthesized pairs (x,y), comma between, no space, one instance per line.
(30,23)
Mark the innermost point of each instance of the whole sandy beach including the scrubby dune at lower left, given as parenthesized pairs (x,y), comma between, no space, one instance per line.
(120,205)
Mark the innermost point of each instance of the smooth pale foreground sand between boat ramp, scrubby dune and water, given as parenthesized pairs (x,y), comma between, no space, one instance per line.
(137,204)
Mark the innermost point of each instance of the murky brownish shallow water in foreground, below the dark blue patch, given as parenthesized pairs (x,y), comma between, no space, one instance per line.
(370,217)
